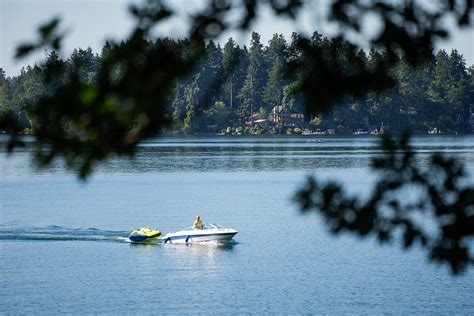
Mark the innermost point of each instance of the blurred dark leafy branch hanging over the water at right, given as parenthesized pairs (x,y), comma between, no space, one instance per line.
(440,218)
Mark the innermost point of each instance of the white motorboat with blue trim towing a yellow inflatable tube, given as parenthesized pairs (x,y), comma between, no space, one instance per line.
(210,232)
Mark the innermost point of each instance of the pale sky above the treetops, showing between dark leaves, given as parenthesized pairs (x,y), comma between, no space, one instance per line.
(91,22)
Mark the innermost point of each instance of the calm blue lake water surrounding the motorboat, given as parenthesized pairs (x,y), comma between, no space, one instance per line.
(63,247)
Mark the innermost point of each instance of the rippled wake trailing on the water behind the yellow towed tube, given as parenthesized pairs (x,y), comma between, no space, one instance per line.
(58,233)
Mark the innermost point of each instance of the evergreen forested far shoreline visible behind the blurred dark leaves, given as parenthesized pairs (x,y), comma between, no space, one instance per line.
(239,87)
